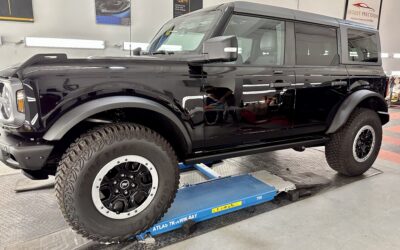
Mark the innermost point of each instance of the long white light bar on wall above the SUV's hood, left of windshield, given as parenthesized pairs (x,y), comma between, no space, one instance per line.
(64,43)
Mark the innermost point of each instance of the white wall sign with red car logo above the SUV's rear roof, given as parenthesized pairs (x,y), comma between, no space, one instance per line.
(364,11)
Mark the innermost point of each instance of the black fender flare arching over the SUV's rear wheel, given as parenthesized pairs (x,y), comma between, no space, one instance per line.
(351,102)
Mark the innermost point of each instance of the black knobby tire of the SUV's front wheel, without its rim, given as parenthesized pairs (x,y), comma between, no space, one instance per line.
(81,163)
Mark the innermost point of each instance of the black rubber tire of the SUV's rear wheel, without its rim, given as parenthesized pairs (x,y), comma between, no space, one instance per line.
(339,150)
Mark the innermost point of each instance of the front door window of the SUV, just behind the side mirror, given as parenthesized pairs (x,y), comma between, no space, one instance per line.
(261,40)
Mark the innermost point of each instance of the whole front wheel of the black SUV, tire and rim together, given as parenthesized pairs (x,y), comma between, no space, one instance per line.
(116,181)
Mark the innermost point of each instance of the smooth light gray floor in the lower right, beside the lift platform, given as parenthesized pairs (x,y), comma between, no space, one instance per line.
(362,215)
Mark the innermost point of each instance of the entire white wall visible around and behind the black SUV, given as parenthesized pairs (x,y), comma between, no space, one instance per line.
(76,19)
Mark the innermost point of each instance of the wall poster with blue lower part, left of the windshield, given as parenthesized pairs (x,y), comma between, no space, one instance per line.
(117,12)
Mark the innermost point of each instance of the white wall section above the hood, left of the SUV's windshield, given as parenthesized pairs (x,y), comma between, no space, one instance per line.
(76,19)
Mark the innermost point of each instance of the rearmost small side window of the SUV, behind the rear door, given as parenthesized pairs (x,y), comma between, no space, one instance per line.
(363,46)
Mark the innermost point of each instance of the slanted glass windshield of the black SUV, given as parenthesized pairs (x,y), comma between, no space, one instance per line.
(183,34)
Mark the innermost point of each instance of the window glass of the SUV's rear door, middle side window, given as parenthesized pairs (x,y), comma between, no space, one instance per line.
(316,45)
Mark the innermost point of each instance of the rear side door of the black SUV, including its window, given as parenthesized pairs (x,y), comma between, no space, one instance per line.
(321,81)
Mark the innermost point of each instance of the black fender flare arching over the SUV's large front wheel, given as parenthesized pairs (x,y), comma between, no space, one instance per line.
(90,108)
